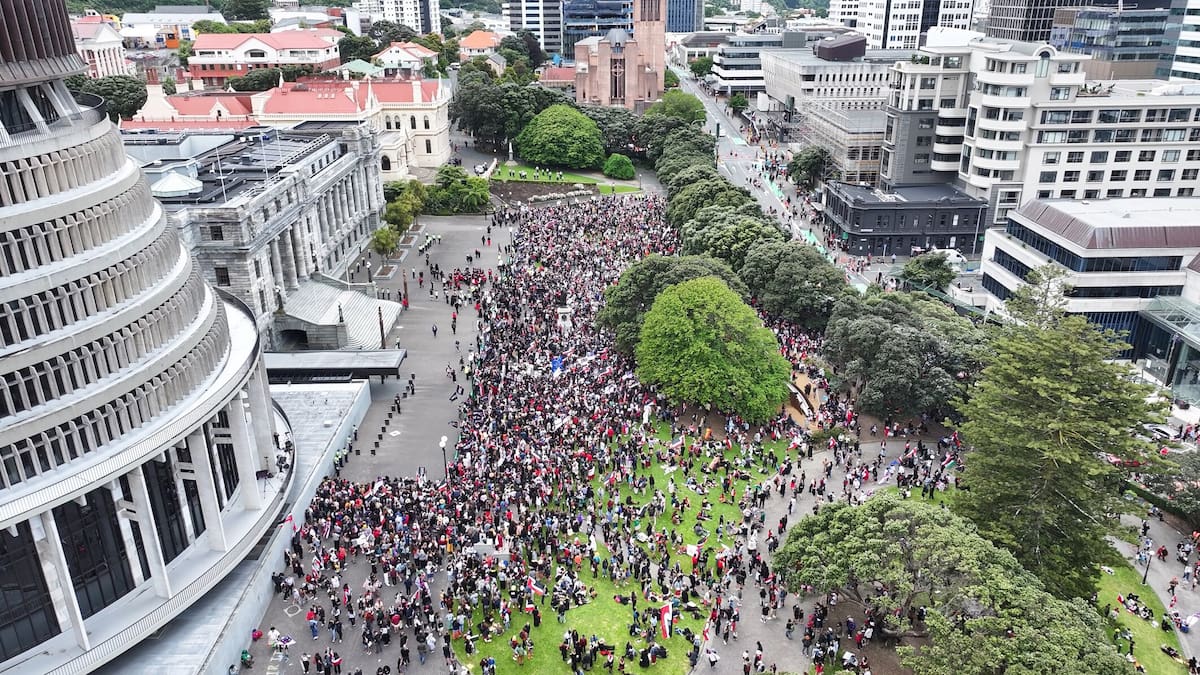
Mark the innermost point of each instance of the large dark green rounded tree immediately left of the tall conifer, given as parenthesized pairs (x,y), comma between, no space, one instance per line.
(905,354)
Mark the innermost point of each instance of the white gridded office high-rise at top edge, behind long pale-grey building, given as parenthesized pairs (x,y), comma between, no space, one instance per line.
(899,26)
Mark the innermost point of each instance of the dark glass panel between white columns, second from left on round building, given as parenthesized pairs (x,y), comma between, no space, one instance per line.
(95,552)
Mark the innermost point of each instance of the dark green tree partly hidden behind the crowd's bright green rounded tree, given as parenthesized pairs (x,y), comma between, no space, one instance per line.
(627,303)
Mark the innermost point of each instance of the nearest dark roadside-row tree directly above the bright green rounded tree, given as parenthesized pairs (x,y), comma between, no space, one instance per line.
(728,234)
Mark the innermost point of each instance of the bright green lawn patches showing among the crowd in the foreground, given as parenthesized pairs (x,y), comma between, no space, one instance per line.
(604,617)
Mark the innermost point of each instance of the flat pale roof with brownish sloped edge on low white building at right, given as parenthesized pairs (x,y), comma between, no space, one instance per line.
(1160,223)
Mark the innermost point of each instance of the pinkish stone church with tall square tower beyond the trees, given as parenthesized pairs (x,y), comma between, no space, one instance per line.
(619,70)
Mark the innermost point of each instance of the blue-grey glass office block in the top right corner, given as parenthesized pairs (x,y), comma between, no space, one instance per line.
(1124,44)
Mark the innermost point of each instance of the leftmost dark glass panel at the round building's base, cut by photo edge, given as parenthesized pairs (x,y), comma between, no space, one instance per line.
(27,614)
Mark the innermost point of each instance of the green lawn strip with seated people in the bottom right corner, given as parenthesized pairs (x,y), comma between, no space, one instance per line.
(1148,636)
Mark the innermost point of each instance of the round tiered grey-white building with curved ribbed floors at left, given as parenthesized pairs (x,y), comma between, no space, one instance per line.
(135,413)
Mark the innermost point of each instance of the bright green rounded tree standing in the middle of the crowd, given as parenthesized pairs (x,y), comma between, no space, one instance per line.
(701,344)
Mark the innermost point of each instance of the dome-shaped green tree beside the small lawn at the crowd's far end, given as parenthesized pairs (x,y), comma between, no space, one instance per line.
(563,138)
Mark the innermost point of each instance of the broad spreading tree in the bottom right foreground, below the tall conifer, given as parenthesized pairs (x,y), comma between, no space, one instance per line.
(985,614)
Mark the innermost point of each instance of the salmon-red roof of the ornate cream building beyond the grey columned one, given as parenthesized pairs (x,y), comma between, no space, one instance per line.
(335,97)
